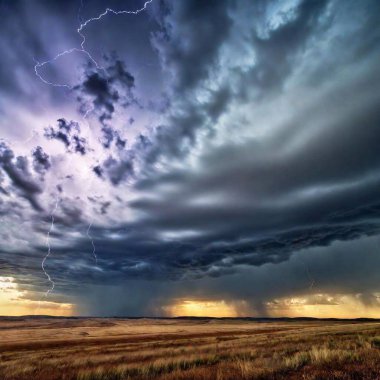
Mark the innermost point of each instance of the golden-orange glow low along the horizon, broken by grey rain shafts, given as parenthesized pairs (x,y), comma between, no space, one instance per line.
(17,302)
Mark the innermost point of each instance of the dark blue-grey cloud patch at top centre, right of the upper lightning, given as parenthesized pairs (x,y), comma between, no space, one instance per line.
(190,42)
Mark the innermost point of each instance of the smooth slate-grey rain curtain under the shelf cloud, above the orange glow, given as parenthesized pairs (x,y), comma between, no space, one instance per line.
(342,269)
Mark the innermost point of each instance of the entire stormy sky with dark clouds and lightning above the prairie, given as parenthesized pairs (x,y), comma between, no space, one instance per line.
(190,157)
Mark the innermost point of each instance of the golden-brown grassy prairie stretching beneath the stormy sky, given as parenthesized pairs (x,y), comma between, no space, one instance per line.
(115,349)
